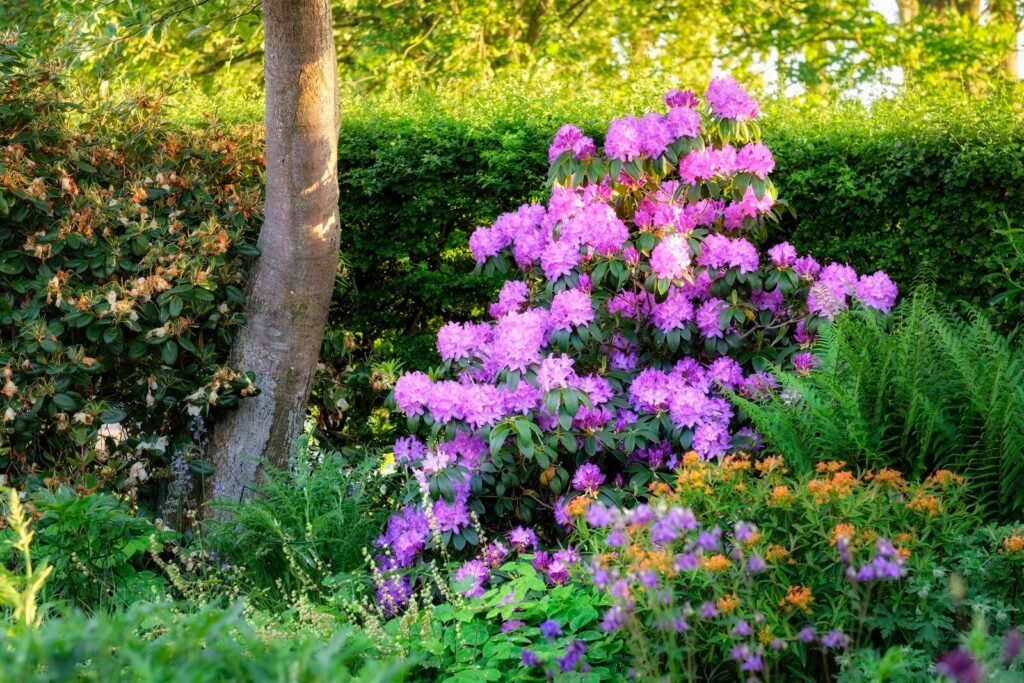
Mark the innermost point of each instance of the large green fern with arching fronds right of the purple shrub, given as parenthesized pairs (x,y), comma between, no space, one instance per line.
(922,391)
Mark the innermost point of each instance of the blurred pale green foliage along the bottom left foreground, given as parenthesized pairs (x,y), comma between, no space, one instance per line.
(161,645)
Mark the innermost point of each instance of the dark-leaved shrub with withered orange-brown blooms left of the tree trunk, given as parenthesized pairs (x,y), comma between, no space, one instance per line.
(123,252)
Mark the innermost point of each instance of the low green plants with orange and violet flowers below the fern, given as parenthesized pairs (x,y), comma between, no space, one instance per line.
(792,556)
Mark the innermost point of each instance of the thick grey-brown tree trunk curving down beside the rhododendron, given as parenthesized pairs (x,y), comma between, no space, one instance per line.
(292,281)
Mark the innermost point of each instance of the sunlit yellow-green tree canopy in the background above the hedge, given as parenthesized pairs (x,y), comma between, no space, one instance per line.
(798,46)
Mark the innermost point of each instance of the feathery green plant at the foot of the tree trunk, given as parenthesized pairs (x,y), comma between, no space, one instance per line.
(305,525)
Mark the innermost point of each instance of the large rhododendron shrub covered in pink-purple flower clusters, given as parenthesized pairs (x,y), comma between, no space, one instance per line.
(643,295)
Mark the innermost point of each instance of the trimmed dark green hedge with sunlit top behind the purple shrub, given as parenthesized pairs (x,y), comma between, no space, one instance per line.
(914,187)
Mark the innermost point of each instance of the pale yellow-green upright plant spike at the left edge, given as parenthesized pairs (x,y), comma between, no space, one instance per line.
(20,591)
